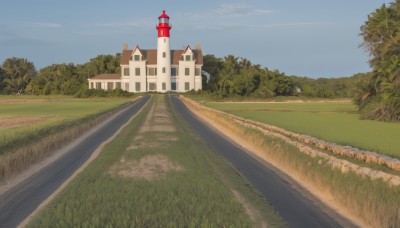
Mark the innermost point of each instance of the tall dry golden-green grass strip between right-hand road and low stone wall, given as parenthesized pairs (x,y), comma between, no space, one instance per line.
(374,201)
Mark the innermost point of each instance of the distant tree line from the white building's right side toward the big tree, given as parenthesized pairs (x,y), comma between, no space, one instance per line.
(234,76)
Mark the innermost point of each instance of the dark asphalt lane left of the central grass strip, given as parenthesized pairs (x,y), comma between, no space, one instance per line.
(20,201)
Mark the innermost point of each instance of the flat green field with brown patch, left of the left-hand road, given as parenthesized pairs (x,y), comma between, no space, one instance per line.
(26,119)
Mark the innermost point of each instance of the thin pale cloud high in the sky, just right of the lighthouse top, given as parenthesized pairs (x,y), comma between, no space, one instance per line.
(232,10)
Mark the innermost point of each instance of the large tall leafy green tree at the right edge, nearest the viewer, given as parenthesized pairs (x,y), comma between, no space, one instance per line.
(380,98)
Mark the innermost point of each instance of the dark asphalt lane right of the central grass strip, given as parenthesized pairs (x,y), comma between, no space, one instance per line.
(295,205)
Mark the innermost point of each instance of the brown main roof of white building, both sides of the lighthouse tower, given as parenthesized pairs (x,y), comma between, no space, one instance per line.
(151,56)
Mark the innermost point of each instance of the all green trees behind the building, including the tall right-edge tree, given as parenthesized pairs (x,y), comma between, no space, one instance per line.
(376,93)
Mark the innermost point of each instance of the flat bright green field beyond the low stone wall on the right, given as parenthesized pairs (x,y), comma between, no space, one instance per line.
(336,122)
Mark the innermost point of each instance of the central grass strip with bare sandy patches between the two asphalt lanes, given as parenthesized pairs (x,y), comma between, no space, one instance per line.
(157,173)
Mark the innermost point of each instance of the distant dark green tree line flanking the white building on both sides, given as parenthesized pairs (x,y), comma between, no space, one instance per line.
(230,76)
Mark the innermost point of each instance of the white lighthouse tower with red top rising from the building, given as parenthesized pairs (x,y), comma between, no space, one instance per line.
(163,54)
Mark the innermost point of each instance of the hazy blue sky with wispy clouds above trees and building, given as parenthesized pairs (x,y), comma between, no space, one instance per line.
(314,38)
